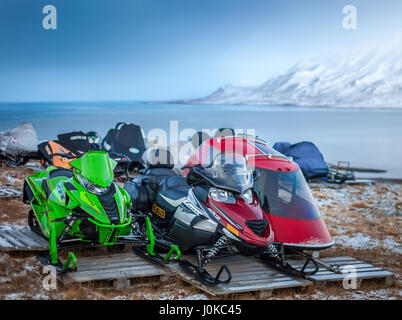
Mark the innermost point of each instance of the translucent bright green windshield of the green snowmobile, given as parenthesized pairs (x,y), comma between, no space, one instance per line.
(96,166)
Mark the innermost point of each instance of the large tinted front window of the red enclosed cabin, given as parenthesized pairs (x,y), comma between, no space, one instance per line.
(286,194)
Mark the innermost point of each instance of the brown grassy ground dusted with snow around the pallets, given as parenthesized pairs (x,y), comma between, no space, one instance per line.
(364,220)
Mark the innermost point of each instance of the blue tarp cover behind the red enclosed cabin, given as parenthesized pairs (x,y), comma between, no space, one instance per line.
(307,156)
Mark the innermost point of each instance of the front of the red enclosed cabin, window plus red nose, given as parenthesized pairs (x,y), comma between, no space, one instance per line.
(293,214)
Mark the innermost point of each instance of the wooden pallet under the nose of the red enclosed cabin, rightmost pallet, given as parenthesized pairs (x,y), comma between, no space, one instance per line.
(364,271)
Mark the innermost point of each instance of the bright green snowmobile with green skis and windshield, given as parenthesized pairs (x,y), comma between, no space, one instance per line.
(84,207)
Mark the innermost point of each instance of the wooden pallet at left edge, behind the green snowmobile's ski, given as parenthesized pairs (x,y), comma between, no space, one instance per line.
(21,239)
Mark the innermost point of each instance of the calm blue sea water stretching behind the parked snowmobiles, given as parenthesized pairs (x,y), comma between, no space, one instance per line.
(367,138)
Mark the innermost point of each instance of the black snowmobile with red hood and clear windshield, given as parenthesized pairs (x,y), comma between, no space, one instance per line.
(213,211)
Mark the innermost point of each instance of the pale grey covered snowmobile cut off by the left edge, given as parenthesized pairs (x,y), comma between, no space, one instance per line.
(20,144)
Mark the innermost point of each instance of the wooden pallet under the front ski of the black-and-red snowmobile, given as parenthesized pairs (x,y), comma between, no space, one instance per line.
(248,275)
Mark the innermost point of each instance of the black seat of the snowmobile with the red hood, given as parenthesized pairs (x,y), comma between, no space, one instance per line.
(172,192)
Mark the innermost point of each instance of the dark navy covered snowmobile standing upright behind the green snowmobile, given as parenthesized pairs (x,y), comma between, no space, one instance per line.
(128,140)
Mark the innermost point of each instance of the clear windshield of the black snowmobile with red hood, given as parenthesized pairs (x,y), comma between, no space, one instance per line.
(229,171)
